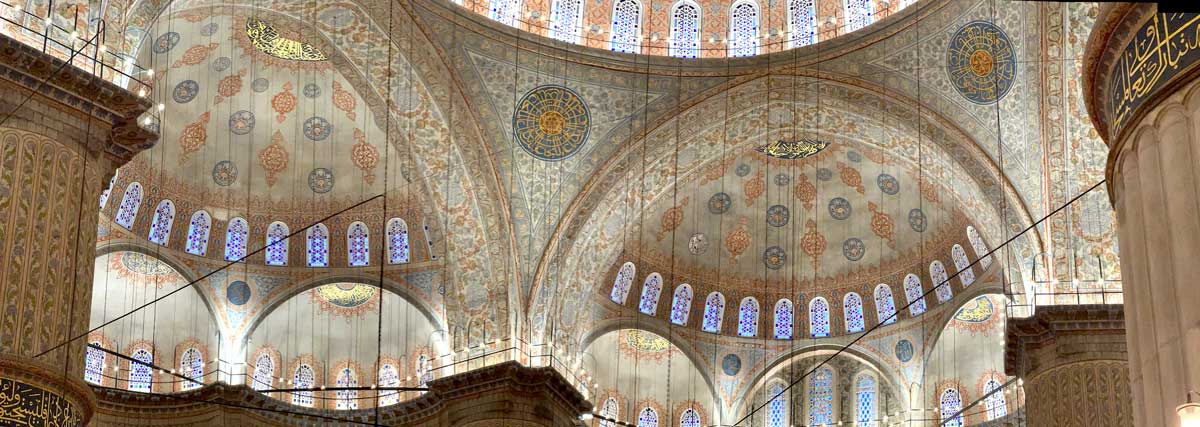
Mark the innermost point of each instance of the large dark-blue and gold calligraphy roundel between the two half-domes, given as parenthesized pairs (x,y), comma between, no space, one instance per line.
(551,123)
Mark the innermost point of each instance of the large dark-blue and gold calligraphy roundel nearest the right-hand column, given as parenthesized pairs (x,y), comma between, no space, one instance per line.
(982,64)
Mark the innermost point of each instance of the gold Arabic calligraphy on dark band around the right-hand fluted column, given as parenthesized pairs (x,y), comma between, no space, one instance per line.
(1165,47)
